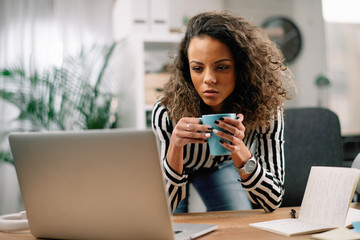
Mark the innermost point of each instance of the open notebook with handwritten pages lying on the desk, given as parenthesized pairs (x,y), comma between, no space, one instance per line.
(325,205)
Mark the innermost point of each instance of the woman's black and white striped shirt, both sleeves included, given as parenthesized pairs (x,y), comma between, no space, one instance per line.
(265,187)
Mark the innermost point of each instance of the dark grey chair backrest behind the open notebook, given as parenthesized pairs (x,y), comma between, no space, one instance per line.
(312,138)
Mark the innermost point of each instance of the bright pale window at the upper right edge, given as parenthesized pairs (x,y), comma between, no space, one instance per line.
(342,34)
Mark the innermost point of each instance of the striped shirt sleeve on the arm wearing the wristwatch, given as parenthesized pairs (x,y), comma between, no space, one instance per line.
(266,186)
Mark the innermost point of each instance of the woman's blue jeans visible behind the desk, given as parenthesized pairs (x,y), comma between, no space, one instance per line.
(219,189)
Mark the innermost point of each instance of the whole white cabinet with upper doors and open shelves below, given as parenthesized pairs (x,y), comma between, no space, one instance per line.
(145,26)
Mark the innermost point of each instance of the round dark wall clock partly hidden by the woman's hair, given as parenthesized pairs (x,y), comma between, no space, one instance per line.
(286,35)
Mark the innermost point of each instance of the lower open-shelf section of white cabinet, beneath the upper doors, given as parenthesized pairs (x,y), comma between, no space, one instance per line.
(143,59)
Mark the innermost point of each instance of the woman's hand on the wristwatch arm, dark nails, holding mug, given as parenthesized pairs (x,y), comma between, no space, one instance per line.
(239,152)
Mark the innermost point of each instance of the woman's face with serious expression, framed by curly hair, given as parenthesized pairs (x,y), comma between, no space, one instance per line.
(212,70)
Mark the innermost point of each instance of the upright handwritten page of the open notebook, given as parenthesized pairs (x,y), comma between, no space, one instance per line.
(327,196)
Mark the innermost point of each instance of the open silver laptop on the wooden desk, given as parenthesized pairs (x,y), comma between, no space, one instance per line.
(98,184)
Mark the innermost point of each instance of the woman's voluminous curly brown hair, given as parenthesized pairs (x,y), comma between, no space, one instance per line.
(261,76)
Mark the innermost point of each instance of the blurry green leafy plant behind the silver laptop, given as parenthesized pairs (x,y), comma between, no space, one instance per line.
(76,95)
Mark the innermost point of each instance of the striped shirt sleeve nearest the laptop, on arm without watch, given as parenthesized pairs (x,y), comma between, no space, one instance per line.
(174,183)
